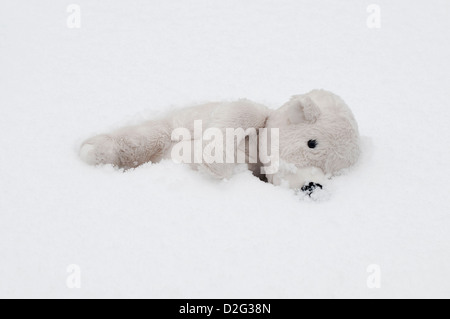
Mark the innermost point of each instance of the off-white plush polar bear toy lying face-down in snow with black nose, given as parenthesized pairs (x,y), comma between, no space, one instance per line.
(315,136)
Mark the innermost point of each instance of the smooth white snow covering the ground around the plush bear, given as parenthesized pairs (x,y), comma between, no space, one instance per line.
(164,231)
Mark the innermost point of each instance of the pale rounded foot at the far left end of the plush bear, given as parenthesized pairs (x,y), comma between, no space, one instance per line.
(99,150)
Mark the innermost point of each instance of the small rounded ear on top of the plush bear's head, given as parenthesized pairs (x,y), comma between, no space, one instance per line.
(302,109)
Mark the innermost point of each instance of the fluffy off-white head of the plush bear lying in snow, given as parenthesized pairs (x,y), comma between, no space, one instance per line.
(318,136)
